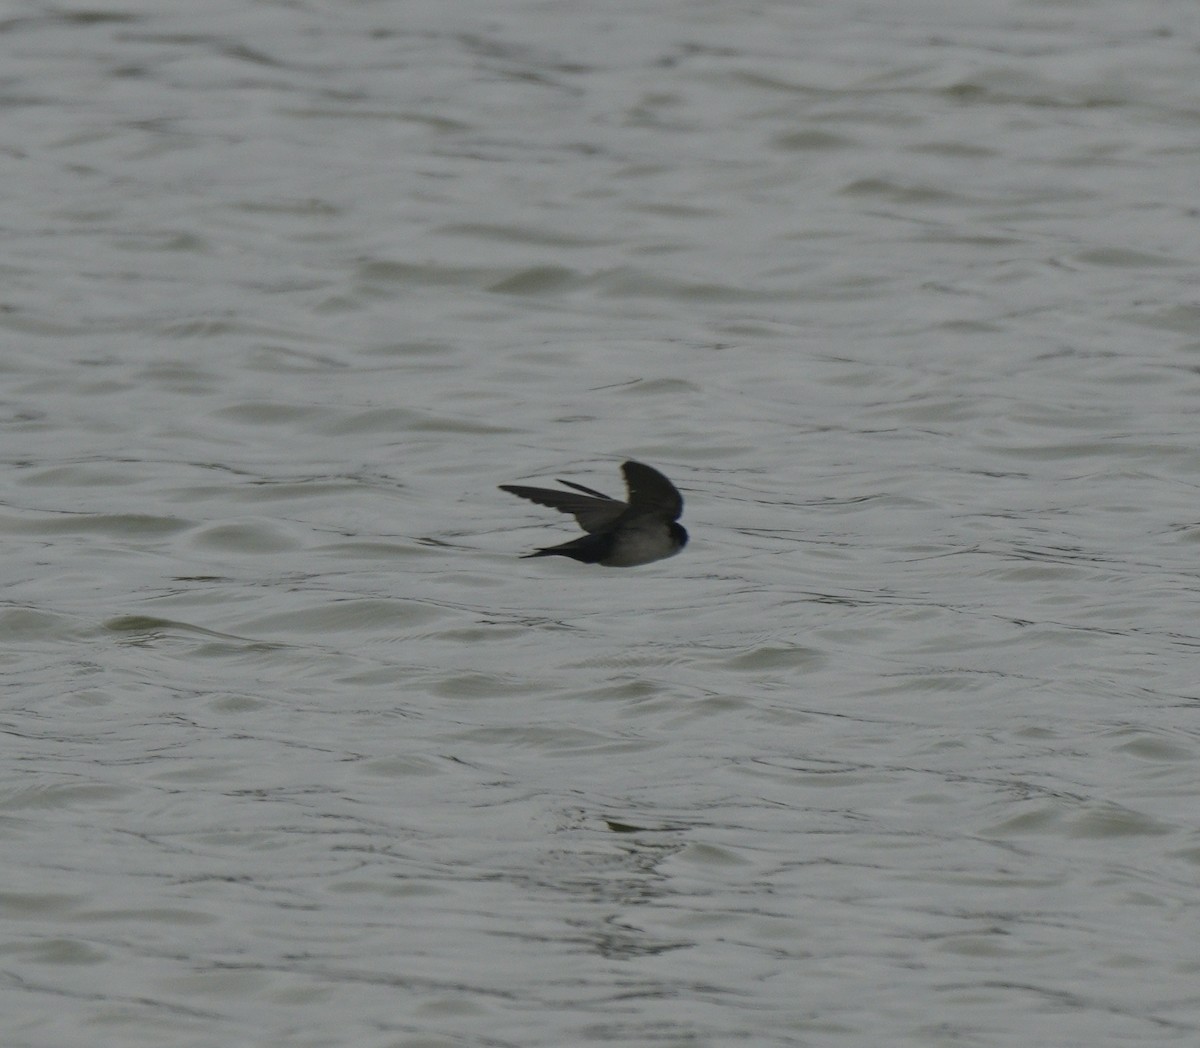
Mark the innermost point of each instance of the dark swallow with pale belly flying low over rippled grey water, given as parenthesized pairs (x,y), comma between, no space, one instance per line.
(620,535)
